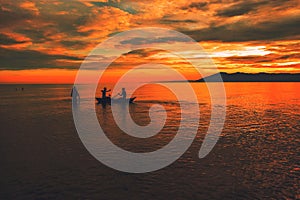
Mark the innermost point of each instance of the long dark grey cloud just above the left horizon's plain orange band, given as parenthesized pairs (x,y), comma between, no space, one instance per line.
(29,59)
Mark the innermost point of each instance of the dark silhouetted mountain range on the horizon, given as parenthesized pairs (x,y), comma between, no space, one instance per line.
(259,77)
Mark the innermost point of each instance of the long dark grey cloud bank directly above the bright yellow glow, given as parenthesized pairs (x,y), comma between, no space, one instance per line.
(246,31)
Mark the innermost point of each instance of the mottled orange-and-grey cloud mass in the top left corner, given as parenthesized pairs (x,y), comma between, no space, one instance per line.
(63,17)
